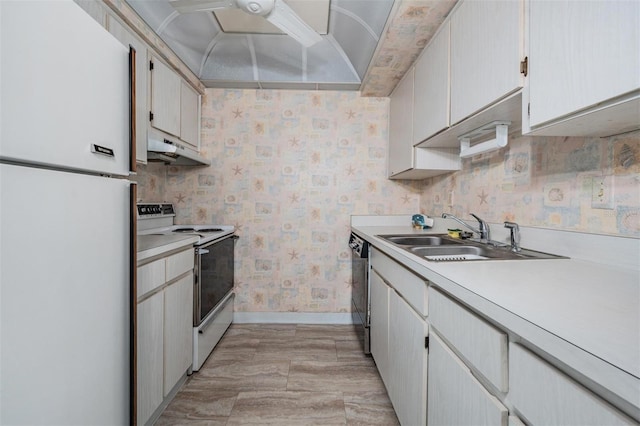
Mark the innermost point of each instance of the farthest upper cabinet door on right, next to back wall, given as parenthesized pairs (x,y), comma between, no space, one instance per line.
(401,126)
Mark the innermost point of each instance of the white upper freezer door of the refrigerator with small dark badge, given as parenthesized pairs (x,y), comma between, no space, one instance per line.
(65,88)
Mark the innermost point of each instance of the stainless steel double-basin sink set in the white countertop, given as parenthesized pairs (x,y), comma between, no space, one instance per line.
(442,248)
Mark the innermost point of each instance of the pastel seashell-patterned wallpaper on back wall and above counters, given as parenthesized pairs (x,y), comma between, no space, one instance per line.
(290,167)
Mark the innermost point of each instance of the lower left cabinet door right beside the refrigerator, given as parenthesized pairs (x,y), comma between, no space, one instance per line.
(150,356)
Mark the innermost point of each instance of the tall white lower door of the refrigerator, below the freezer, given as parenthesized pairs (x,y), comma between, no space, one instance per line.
(64,298)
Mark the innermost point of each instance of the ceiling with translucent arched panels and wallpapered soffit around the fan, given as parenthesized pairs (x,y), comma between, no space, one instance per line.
(369,45)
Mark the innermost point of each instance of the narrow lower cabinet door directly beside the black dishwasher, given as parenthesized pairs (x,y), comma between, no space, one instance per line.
(379,325)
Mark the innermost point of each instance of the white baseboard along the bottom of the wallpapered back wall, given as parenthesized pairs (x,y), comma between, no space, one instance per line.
(292,318)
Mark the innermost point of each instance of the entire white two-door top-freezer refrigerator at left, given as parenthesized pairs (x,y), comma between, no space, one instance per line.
(67,258)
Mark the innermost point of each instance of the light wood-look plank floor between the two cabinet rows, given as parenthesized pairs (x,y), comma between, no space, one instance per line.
(284,374)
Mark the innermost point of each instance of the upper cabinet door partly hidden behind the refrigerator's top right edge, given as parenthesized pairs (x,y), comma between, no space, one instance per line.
(142,109)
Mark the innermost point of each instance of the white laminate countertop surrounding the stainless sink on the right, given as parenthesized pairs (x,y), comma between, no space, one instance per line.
(582,314)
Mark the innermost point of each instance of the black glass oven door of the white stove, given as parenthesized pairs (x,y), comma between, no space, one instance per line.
(213,277)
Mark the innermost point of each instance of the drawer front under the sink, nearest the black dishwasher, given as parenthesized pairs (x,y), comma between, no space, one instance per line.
(412,287)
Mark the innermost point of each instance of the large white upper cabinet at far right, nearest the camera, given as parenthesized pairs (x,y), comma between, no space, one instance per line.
(584,68)
